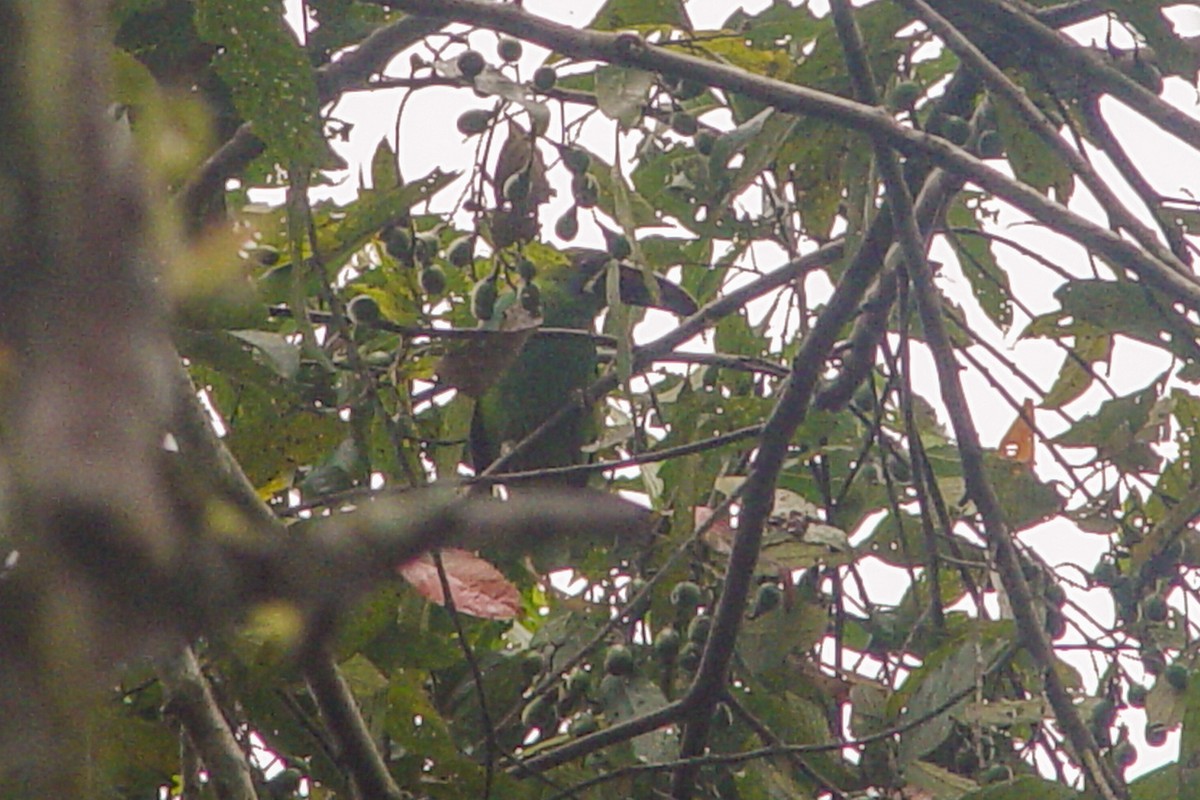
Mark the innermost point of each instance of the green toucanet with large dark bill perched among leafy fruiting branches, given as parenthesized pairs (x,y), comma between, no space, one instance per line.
(550,369)
